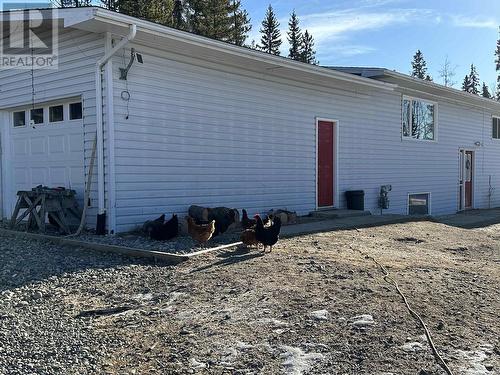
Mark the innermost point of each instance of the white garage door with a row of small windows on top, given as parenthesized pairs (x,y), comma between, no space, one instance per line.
(47,147)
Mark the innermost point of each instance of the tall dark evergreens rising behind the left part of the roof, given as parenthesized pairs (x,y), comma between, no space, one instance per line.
(224,20)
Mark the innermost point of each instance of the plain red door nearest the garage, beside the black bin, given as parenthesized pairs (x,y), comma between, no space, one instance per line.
(326,152)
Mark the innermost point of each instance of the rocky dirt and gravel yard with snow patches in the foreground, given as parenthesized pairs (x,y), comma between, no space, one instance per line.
(315,305)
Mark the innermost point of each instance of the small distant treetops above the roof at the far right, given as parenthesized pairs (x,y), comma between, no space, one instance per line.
(471,82)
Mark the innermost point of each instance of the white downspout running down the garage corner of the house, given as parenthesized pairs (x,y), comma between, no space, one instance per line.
(99,114)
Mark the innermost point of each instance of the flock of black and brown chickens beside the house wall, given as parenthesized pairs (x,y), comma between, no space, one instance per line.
(256,231)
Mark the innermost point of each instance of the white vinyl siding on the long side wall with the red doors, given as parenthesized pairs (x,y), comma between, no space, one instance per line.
(222,136)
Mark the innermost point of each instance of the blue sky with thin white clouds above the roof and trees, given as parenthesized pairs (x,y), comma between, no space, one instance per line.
(386,33)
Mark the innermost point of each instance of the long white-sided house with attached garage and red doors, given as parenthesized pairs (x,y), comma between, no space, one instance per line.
(209,123)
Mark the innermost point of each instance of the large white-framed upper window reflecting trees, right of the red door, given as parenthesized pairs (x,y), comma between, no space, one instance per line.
(419,119)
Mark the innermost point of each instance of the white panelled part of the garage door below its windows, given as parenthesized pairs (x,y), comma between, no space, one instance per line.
(49,155)
